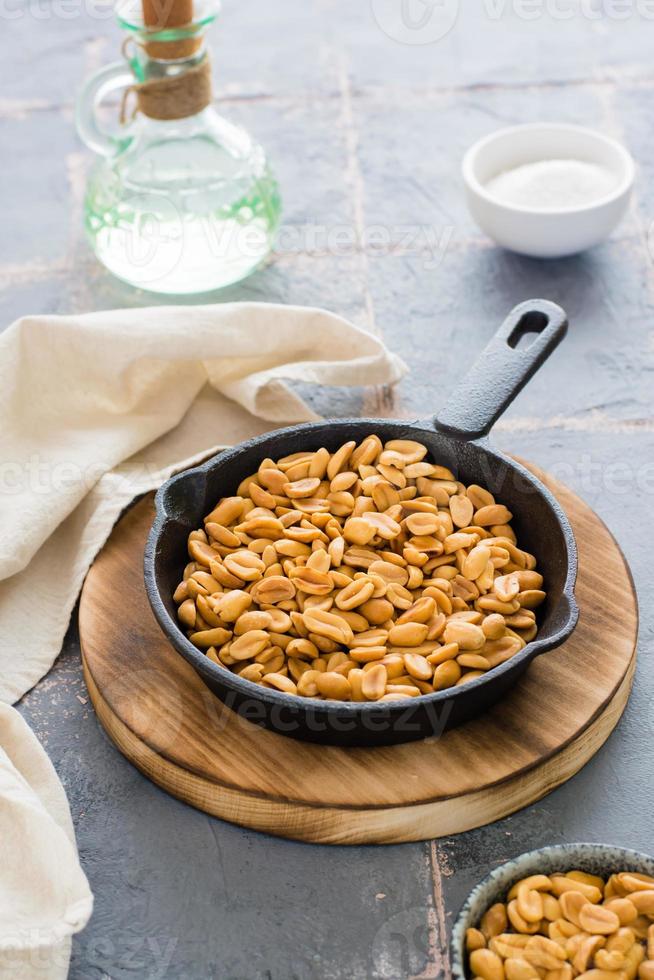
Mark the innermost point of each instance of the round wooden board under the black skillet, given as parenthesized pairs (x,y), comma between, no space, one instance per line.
(169,725)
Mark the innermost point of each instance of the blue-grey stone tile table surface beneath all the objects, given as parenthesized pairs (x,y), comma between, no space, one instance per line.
(366,131)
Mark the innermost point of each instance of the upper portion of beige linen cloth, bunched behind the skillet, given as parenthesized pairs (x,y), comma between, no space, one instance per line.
(95,409)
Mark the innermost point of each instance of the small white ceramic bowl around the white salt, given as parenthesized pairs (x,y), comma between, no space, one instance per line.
(548,233)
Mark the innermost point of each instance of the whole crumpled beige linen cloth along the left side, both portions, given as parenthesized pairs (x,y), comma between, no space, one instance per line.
(93,411)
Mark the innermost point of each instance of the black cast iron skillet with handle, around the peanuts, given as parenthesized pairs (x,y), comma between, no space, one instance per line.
(458,439)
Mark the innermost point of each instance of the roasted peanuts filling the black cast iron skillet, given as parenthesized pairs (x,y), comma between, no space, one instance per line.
(367,574)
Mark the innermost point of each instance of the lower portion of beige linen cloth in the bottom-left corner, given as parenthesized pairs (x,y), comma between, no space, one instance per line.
(44,895)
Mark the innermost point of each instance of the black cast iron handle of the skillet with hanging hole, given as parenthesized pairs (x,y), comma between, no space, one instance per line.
(503,369)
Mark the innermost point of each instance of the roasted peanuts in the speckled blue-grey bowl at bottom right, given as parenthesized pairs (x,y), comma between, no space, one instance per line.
(561,926)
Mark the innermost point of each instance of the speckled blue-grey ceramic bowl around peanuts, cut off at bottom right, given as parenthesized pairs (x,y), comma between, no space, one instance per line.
(598,859)
